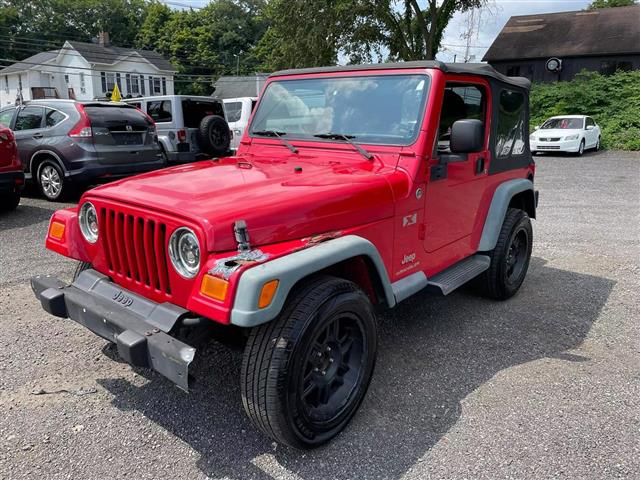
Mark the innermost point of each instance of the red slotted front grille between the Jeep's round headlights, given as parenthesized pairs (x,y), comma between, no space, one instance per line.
(135,249)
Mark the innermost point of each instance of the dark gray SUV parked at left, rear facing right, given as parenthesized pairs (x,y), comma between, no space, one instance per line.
(64,143)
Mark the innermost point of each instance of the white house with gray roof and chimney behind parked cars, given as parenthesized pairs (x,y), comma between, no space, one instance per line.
(87,71)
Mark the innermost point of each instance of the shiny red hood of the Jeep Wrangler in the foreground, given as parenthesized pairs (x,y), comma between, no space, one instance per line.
(279,199)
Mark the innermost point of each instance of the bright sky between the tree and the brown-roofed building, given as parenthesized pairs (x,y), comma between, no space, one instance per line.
(493,18)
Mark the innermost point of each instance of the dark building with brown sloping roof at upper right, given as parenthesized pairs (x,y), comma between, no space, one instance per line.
(602,40)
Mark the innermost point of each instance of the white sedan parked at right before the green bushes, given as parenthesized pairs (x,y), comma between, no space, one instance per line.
(566,133)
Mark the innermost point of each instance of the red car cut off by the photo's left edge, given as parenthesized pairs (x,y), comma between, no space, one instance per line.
(11,174)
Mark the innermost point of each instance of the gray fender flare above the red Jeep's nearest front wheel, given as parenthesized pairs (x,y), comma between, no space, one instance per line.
(292,268)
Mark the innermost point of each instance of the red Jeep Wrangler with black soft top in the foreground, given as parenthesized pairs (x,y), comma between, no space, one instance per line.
(353,187)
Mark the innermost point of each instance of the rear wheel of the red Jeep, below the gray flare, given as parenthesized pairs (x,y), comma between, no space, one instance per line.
(510,258)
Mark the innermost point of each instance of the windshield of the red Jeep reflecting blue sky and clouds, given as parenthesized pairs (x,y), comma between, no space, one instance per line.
(382,109)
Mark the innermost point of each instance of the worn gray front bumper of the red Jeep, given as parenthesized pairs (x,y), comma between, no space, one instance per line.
(139,327)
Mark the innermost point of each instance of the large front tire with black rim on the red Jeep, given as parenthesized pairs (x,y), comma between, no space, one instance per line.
(305,373)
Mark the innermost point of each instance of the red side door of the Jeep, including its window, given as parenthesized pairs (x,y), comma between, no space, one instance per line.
(456,183)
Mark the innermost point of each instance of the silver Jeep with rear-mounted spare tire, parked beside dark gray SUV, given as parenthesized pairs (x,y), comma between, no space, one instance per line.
(189,127)
